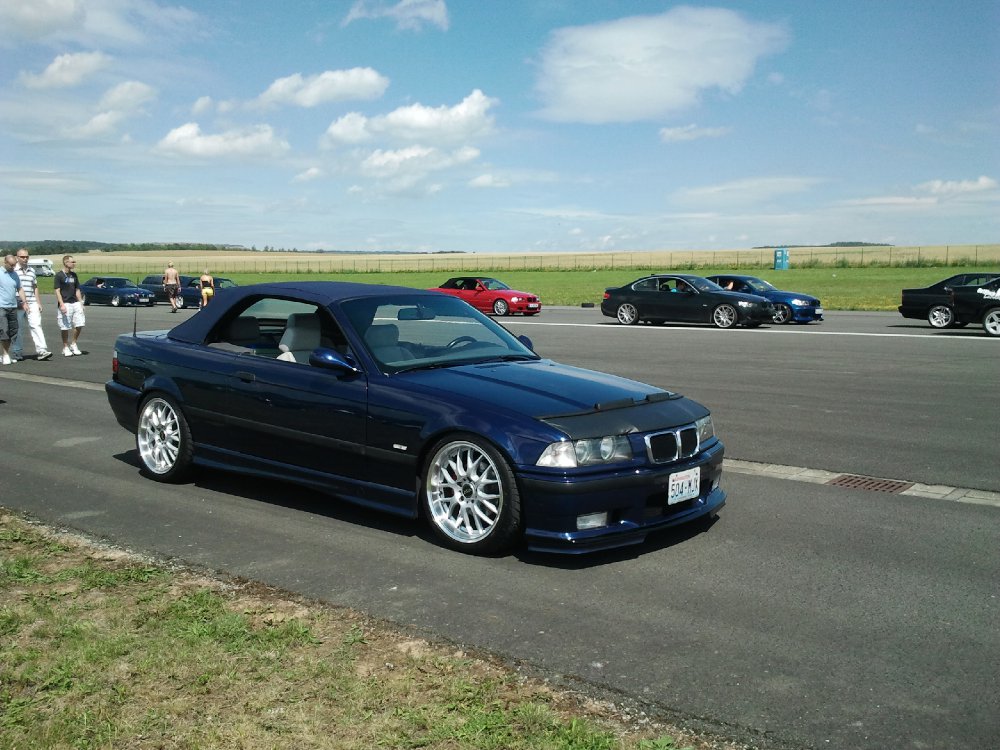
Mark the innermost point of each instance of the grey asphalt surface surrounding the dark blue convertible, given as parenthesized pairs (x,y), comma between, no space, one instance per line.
(807,616)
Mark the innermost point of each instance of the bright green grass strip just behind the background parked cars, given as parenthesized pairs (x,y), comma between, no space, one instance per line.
(869,288)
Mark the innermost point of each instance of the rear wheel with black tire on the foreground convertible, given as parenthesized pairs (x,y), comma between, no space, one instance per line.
(163,439)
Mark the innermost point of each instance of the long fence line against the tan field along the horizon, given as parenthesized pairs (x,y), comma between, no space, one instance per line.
(224,262)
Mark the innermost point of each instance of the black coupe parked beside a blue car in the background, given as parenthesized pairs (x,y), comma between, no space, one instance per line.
(682,298)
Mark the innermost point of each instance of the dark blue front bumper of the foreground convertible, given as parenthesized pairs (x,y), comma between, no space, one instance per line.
(635,501)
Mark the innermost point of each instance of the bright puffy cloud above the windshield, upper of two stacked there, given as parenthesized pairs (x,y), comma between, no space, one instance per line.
(468,119)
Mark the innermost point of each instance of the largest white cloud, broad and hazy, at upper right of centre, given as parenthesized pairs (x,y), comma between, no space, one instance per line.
(646,67)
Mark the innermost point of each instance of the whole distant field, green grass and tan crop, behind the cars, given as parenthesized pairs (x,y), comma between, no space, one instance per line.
(843,278)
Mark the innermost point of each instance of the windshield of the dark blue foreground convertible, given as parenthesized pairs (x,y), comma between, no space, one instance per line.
(406,333)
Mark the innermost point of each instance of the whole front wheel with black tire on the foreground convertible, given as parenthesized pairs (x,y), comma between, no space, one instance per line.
(470,496)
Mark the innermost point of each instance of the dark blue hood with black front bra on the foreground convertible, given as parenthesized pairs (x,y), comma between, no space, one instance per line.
(583,403)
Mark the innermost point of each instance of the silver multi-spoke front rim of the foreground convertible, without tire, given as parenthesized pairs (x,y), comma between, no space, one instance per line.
(465,493)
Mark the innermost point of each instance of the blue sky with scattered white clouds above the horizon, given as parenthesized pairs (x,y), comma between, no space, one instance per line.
(500,125)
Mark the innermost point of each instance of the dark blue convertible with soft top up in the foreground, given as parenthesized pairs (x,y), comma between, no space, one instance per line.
(415,403)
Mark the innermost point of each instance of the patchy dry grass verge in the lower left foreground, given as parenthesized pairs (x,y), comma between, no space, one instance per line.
(100,648)
